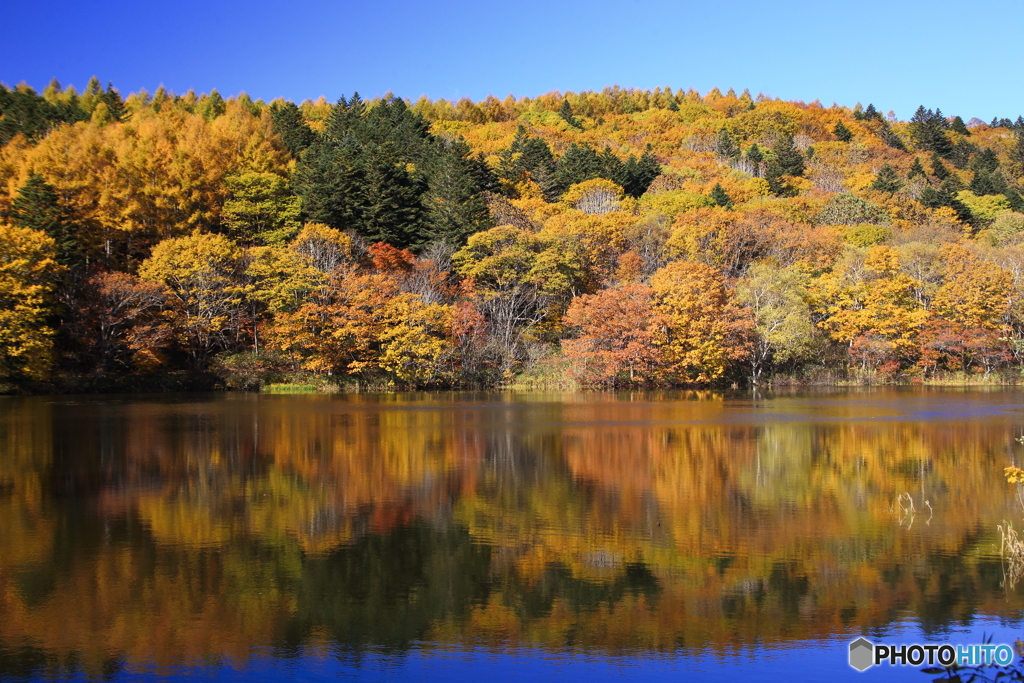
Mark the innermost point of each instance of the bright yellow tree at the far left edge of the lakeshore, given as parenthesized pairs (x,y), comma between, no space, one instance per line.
(28,269)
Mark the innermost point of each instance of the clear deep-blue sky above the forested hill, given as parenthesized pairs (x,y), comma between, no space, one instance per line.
(964,59)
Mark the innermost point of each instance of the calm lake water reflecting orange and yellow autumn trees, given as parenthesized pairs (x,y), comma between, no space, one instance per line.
(460,537)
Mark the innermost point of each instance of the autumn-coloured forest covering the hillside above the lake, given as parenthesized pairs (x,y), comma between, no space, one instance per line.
(622,239)
